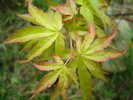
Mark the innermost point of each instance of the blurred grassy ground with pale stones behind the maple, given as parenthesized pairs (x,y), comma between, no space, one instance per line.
(17,81)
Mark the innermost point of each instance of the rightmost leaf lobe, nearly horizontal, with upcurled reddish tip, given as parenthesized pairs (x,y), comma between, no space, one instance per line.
(105,55)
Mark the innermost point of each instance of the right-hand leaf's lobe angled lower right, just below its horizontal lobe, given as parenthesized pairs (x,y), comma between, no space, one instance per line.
(92,66)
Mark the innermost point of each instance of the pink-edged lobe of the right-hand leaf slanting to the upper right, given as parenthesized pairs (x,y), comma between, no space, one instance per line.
(101,43)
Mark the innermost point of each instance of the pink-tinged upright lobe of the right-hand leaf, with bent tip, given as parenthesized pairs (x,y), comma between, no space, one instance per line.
(89,37)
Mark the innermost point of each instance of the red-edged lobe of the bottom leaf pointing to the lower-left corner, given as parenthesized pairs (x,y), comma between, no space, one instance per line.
(47,81)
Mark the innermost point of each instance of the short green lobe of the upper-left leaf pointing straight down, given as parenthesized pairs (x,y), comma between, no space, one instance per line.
(60,45)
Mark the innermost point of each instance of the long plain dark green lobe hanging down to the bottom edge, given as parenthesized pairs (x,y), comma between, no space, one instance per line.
(85,80)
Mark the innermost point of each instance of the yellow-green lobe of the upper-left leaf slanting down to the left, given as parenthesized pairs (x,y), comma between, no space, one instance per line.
(41,46)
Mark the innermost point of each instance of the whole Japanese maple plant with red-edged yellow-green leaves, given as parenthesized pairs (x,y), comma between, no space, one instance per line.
(68,41)
